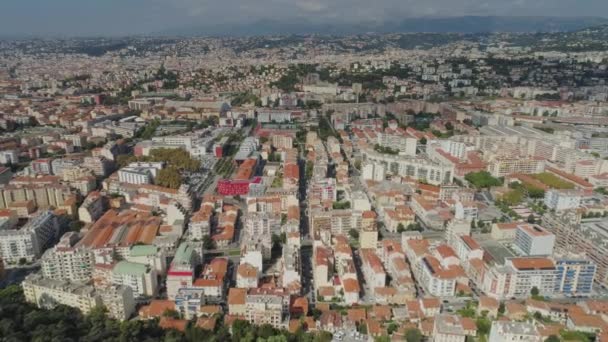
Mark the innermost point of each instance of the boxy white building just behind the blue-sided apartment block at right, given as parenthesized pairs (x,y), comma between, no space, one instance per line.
(533,240)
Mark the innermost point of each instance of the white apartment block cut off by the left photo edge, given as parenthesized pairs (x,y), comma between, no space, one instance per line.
(31,240)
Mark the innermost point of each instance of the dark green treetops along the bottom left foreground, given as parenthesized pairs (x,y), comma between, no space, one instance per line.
(22,321)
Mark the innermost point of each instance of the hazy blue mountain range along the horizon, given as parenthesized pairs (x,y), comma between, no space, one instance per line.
(468,24)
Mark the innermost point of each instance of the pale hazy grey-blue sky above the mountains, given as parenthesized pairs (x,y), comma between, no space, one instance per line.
(119,17)
